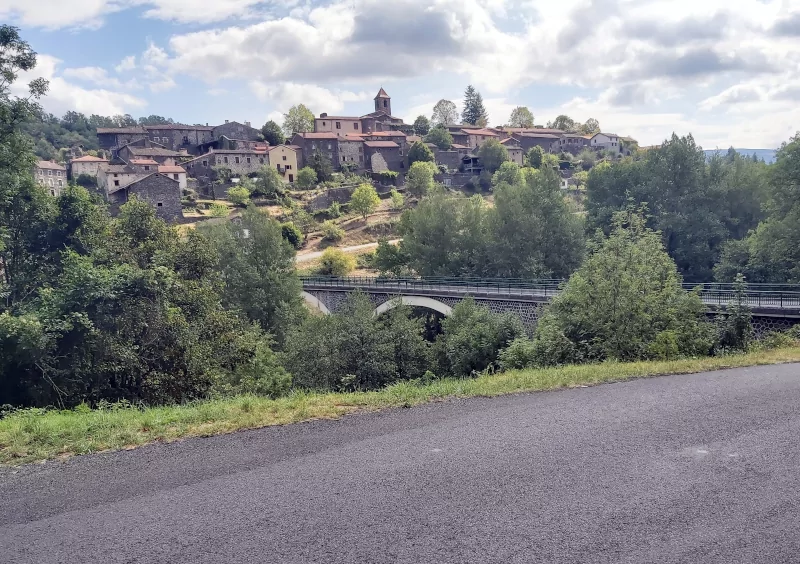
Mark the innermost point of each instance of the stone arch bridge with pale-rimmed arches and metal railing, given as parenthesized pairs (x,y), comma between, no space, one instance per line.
(775,307)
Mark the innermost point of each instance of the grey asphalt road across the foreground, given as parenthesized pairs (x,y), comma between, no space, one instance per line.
(695,469)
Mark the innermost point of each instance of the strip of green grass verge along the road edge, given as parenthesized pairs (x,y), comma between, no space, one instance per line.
(33,435)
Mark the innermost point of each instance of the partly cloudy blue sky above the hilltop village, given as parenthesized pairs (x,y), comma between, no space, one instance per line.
(726,71)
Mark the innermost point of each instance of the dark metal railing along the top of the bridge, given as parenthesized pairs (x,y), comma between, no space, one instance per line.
(757,295)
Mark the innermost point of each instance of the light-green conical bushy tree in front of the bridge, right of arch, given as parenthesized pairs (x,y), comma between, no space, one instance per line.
(624,303)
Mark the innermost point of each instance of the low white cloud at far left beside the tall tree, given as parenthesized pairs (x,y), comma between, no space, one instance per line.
(64,96)
